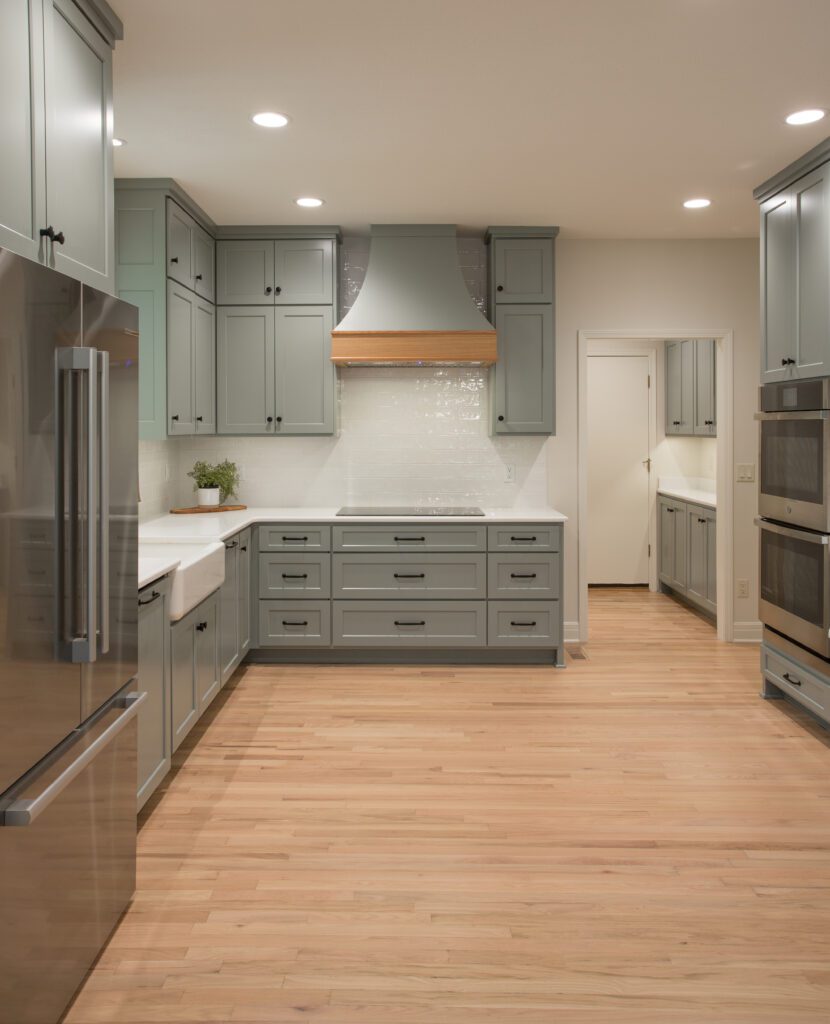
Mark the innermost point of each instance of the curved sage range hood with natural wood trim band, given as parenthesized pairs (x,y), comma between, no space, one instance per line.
(414,309)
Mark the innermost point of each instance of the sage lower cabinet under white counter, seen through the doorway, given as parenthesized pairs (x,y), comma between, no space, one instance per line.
(688,563)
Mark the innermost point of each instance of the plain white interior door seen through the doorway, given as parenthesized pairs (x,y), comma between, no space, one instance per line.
(619,470)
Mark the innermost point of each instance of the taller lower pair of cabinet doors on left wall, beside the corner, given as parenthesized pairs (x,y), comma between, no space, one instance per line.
(191,363)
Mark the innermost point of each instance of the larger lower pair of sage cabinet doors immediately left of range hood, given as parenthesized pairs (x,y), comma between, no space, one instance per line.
(275,371)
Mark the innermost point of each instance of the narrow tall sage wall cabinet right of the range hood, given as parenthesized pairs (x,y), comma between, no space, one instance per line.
(522,308)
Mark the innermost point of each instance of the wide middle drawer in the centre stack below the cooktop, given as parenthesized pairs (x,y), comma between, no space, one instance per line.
(428,576)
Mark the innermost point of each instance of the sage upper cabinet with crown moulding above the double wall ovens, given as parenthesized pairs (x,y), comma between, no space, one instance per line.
(796,270)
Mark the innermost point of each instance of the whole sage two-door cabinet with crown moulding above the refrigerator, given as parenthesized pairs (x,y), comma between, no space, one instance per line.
(56,118)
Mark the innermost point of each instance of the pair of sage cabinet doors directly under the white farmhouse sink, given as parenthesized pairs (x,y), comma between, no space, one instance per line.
(195,666)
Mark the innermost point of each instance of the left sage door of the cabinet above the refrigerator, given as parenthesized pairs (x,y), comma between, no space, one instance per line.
(23,204)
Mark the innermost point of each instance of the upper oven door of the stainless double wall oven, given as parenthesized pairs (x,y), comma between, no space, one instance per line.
(795,470)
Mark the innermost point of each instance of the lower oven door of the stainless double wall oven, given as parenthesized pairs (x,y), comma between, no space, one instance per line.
(796,584)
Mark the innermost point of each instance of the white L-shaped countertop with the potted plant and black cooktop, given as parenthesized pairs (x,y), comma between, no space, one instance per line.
(221,526)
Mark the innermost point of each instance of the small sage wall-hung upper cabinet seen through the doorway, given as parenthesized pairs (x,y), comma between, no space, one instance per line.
(690,388)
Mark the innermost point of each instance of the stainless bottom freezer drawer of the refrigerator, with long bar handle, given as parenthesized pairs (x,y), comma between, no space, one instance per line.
(68,851)
